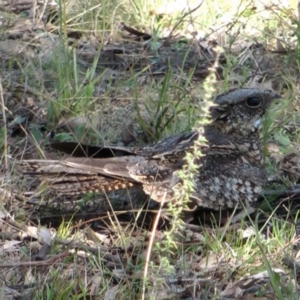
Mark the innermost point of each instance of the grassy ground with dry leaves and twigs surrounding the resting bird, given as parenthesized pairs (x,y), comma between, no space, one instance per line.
(57,79)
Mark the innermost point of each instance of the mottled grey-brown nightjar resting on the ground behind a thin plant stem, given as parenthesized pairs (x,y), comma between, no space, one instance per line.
(231,173)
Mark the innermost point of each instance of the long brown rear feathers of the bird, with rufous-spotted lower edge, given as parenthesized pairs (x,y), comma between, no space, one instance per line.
(77,176)
